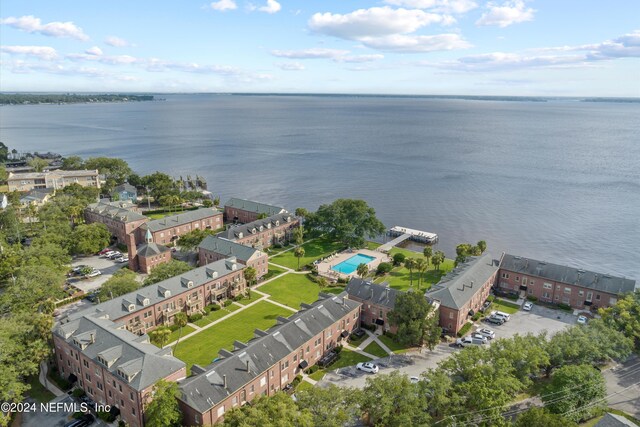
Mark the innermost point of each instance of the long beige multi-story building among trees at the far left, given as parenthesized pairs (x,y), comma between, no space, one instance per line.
(56,179)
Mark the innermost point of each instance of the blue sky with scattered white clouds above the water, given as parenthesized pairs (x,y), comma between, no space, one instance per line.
(452,47)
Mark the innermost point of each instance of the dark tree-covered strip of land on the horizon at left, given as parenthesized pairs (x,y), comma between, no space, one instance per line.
(66,98)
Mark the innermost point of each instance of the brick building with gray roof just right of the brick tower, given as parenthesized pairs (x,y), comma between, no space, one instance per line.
(168,229)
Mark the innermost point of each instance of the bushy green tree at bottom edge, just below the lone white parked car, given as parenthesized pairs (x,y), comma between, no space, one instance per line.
(393,401)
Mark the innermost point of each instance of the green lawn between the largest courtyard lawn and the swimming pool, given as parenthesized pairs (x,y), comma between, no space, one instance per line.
(292,289)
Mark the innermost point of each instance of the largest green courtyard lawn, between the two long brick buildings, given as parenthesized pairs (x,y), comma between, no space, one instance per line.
(203,347)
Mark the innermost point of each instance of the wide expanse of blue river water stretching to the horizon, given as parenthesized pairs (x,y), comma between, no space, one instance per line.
(556,181)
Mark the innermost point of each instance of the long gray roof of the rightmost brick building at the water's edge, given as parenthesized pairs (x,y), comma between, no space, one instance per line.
(565,274)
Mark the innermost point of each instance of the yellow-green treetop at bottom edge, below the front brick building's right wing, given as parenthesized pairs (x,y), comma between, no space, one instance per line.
(278,410)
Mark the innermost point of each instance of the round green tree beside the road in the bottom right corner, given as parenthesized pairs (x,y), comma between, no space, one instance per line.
(576,391)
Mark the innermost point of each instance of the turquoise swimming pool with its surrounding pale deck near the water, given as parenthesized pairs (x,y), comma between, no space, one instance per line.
(345,264)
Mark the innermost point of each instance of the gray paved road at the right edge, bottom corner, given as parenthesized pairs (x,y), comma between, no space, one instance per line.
(623,386)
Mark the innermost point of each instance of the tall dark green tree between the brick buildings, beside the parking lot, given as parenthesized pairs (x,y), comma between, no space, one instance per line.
(412,314)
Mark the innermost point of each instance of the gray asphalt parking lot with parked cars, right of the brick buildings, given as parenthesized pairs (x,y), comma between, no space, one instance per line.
(537,320)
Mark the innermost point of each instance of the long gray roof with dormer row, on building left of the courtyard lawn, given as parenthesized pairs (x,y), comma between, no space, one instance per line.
(118,307)
